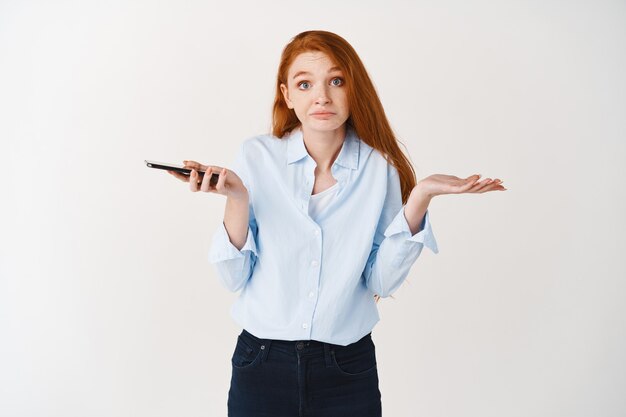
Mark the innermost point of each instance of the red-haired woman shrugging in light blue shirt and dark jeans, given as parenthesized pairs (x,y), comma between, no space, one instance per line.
(323,217)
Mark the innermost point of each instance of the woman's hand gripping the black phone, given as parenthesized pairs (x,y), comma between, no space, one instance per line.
(228,184)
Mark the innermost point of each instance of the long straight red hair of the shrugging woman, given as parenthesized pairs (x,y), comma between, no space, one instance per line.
(367,116)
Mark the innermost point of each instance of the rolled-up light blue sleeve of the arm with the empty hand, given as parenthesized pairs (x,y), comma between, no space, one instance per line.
(395,249)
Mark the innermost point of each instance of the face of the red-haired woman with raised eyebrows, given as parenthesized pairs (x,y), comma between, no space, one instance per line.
(316,91)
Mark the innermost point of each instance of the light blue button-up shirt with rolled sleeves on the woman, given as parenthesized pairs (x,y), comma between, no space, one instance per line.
(305,279)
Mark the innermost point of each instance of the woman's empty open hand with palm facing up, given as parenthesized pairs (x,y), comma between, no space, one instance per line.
(439,184)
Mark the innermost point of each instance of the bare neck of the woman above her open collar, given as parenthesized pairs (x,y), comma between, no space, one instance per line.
(324,147)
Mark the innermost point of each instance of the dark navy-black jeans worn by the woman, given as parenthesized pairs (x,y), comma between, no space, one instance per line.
(308,378)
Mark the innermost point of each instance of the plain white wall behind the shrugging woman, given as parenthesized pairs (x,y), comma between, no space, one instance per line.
(108,305)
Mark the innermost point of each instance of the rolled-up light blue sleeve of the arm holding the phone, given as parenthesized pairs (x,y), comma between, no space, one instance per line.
(234,266)
